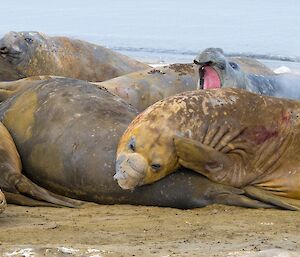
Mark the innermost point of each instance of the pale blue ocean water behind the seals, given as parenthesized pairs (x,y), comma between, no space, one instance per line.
(164,31)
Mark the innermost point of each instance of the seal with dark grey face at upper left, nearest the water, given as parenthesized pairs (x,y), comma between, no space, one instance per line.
(33,53)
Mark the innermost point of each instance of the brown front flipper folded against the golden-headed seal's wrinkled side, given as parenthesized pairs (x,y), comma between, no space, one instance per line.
(201,158)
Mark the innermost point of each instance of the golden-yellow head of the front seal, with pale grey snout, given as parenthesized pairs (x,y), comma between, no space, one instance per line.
(141,159)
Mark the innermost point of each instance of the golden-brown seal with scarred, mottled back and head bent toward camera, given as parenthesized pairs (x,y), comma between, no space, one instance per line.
(231,136)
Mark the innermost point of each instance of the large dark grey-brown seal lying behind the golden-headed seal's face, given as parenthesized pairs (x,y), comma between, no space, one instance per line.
(67,131)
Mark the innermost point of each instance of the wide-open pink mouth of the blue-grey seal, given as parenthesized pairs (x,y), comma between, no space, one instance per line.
(208,78)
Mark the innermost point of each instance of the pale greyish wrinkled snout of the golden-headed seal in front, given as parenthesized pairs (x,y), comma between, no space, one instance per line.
(130,170)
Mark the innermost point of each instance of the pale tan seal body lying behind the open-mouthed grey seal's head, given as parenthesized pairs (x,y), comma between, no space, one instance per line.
(143,88)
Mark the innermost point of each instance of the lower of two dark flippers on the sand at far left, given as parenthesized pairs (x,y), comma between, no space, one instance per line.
(18,199)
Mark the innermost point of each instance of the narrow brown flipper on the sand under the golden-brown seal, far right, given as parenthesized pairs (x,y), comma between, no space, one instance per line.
(268,197)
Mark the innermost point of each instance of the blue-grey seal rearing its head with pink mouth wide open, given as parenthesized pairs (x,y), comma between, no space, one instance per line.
(217,71)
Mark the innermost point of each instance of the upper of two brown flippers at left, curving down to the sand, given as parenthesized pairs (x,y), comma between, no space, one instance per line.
(27,187)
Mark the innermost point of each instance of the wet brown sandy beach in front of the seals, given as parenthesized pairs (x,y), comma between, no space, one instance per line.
(124,230)
